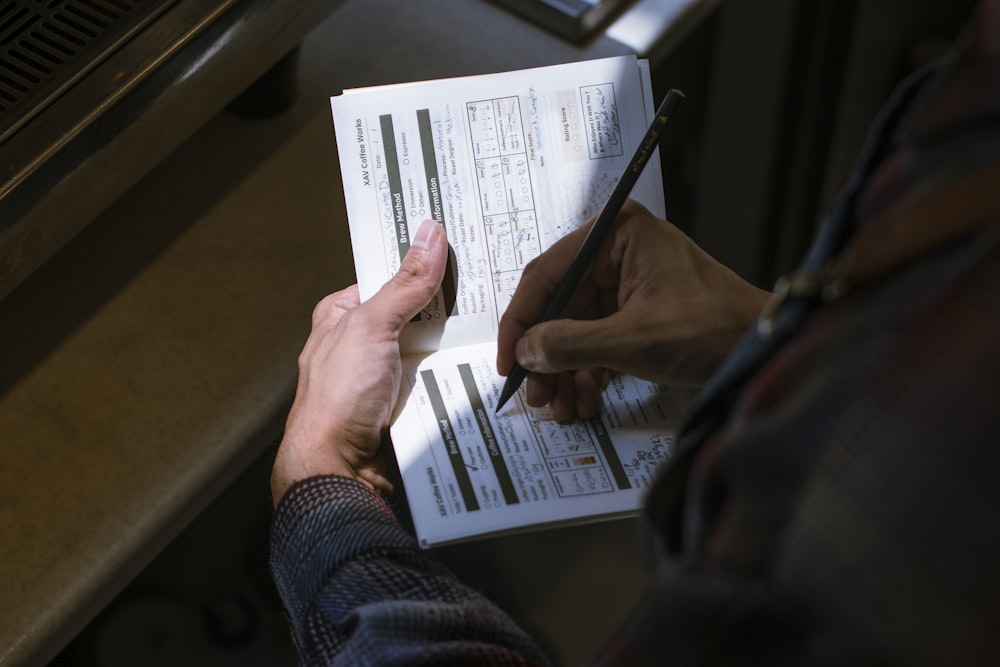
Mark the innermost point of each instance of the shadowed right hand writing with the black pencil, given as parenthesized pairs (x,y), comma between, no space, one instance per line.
(653,305)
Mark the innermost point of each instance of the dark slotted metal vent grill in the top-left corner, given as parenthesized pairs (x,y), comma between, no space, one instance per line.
(47,45)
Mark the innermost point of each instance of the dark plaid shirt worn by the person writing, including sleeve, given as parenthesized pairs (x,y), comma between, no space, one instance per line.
(833,493)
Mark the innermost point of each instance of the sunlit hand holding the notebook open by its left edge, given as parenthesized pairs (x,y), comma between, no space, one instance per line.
(350,371)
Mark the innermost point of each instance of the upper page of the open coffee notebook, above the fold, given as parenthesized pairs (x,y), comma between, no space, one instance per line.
(507,162)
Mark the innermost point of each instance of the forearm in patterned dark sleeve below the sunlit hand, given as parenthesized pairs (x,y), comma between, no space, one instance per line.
(355,582)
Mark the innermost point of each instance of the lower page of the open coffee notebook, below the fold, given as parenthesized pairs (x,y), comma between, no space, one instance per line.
(469,471)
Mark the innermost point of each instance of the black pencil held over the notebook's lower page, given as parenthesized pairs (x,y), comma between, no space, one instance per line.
(591,243)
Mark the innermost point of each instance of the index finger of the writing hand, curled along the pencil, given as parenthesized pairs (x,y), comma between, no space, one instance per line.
(540,278)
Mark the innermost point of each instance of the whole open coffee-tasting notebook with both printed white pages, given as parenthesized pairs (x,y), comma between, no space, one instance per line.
(508,163)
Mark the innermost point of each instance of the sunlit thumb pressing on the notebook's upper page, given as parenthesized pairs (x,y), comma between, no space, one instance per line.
(419,275)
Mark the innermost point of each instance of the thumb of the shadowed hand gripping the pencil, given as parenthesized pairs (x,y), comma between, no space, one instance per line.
(568,345)
